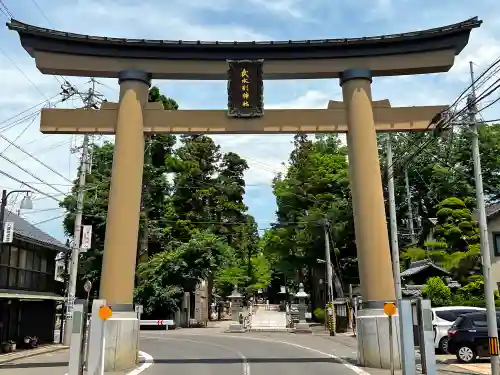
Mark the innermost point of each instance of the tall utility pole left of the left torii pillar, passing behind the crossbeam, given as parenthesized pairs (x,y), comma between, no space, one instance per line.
(90,103)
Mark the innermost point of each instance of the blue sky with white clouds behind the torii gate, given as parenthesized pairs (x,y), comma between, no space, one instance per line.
(22,86)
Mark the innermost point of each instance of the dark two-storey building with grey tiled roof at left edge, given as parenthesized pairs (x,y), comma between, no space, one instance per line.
(29,292)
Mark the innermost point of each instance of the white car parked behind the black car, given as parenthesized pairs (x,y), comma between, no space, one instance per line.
(442,320)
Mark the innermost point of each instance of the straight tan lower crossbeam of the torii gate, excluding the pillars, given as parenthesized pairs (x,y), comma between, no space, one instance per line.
(275,121)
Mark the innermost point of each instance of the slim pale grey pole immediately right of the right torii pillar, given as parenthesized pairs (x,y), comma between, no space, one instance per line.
(393,221)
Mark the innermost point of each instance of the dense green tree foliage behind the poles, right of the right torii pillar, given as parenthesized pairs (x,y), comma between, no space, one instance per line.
(441,169)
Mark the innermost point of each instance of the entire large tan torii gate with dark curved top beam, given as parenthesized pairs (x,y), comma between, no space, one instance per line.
(354,61)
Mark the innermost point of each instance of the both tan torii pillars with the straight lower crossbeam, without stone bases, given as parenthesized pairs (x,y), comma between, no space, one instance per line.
(132,117)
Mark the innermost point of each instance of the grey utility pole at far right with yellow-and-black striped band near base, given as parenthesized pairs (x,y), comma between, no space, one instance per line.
(483,231)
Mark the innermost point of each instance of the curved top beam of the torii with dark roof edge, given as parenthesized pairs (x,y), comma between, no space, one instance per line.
(419,52)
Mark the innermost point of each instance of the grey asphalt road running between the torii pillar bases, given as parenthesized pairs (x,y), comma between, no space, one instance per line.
(233,355)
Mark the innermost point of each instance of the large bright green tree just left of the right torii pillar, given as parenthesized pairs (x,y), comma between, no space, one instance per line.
(314,188)
